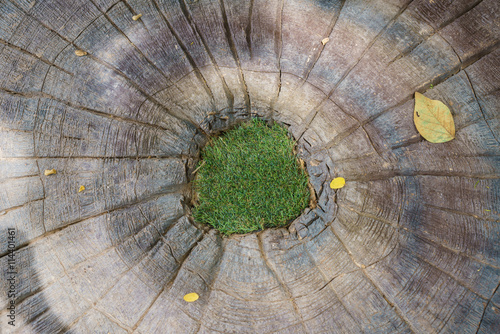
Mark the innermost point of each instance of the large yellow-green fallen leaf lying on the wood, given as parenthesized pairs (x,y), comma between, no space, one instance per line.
(433,119)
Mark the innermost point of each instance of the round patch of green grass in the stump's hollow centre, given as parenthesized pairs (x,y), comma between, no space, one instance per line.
(249,180)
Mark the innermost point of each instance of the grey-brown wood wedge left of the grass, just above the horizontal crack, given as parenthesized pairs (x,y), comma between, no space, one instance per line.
(66,131)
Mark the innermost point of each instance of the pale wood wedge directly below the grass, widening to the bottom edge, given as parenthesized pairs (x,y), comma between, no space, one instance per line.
(251,289)
